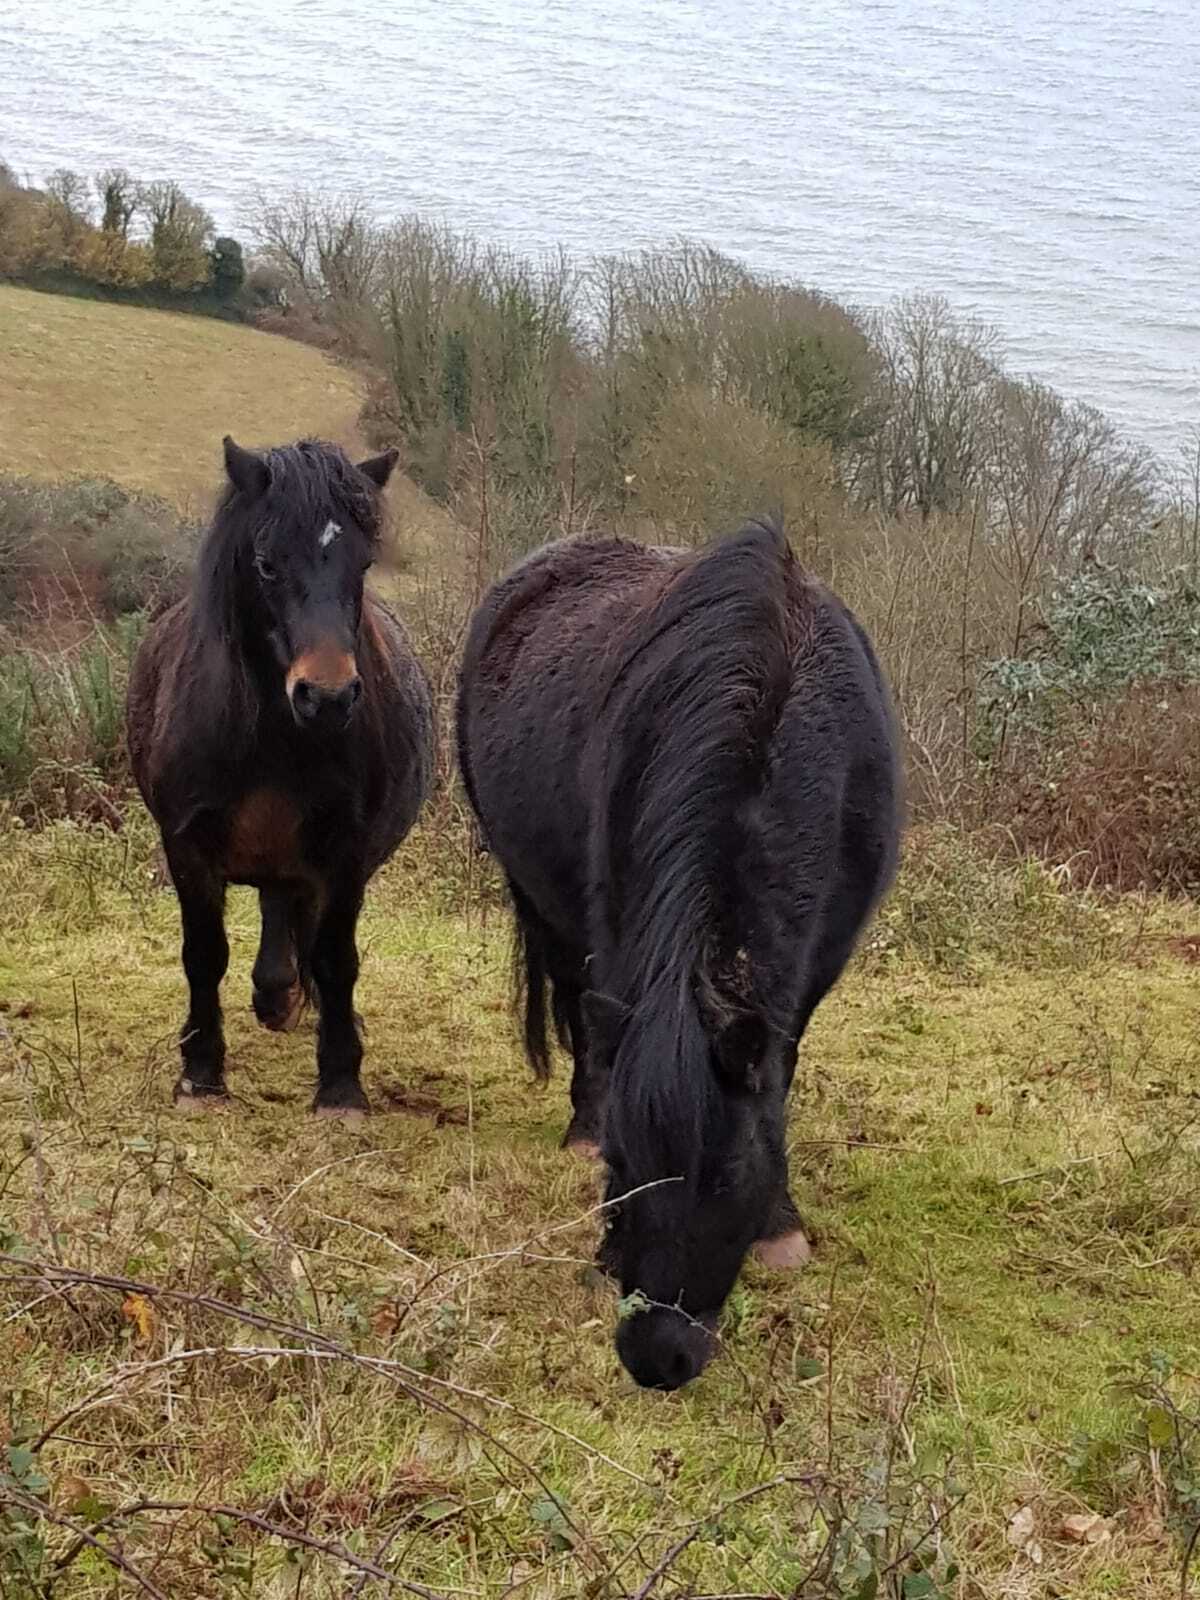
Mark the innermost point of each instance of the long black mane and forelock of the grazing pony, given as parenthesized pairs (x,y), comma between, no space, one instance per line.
(694,706)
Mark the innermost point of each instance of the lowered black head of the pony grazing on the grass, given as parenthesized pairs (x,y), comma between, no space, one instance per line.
(695,1174)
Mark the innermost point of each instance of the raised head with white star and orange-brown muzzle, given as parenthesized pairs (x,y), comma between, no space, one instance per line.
(306,526)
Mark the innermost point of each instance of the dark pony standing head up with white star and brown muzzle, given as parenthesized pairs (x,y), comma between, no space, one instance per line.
(281,732)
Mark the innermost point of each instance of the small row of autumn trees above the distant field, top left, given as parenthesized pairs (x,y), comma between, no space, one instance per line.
(119,238)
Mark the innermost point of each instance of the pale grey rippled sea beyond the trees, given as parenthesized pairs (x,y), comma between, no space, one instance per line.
(1036,162)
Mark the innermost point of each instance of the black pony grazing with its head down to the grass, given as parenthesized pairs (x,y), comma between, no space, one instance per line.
(687,766)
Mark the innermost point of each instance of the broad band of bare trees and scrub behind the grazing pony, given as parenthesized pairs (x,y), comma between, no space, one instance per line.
(1017,558)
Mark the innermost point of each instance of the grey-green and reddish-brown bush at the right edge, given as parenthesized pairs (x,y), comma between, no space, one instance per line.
(1092,740)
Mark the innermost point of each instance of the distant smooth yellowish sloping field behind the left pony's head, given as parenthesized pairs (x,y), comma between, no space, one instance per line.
(145,398)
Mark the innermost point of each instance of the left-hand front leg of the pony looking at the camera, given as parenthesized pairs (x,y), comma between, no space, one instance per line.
(202,1044)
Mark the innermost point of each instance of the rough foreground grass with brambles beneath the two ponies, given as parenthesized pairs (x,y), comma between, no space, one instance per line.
(390,1340)
